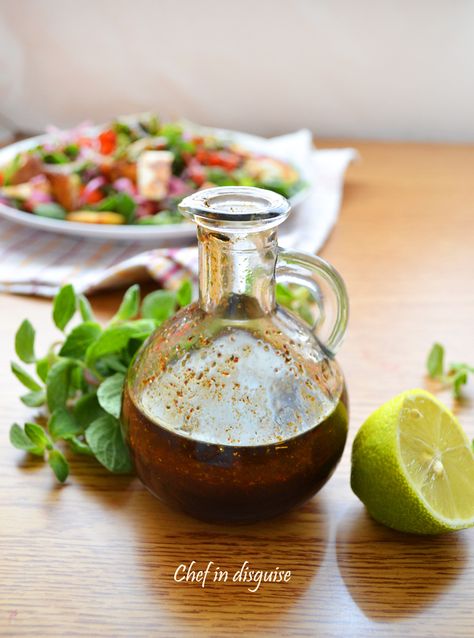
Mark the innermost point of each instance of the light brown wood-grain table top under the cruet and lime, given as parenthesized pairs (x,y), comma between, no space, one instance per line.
(97,557)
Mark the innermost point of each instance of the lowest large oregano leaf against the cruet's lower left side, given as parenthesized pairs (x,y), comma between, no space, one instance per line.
(105,439)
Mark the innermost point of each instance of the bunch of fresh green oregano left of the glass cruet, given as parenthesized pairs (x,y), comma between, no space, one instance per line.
(78,382)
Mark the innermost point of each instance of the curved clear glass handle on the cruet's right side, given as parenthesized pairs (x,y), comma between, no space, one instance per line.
(301,268)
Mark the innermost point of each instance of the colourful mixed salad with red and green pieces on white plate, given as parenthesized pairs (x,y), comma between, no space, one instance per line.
(134,170)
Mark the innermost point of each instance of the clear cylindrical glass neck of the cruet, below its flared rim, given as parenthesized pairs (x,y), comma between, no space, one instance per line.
(237,273)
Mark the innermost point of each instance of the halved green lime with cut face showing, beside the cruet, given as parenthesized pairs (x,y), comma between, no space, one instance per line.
(413,466)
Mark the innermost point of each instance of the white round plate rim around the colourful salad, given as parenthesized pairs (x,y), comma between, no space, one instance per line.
(288,148)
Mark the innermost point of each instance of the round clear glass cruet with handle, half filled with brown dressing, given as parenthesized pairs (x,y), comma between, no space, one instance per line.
(235,409)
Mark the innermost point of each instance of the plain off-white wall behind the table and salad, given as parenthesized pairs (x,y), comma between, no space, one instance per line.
(365,68)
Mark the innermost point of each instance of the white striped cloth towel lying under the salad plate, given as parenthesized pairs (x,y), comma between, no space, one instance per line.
(38,263)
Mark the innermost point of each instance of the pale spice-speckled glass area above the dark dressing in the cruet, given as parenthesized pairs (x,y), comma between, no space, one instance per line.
(237,391)
